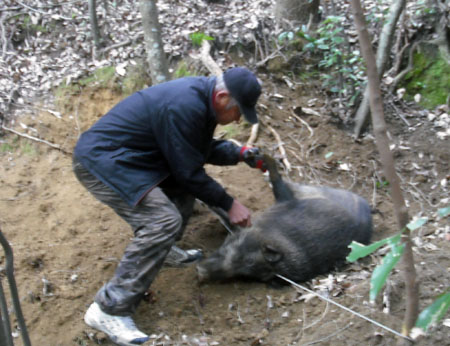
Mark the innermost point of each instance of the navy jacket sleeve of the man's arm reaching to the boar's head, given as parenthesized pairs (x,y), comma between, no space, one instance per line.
(181,138)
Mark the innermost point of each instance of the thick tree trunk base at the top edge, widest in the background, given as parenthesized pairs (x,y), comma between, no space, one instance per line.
(299,11)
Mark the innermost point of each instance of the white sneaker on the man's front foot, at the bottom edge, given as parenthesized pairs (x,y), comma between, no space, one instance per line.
(120,329)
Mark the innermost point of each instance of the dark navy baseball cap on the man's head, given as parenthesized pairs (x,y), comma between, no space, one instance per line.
(244,87)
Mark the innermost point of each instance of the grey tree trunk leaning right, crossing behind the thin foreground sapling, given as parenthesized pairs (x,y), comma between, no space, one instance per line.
(384,48)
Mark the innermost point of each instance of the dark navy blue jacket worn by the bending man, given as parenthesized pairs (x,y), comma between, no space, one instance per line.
(165,130)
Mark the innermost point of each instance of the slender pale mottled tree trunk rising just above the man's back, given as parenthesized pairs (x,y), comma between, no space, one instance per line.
(156,58)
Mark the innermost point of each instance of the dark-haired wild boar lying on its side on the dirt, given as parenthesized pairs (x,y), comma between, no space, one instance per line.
(304,234)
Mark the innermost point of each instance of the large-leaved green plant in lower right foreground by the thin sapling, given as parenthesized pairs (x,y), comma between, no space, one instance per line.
(433,313)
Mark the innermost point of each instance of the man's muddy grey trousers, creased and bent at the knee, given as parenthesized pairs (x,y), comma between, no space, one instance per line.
(157,222)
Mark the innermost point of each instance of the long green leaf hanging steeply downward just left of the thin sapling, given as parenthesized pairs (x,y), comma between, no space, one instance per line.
(381,272)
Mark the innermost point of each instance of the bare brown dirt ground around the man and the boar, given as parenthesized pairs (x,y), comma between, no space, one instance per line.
(63,236)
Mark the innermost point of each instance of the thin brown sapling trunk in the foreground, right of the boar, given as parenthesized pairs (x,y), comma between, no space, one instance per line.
(382,142)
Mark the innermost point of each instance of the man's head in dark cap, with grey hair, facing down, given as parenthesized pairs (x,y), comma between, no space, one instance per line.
(236,93)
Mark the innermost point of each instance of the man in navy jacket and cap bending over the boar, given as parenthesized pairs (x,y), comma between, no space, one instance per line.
(145,160)
